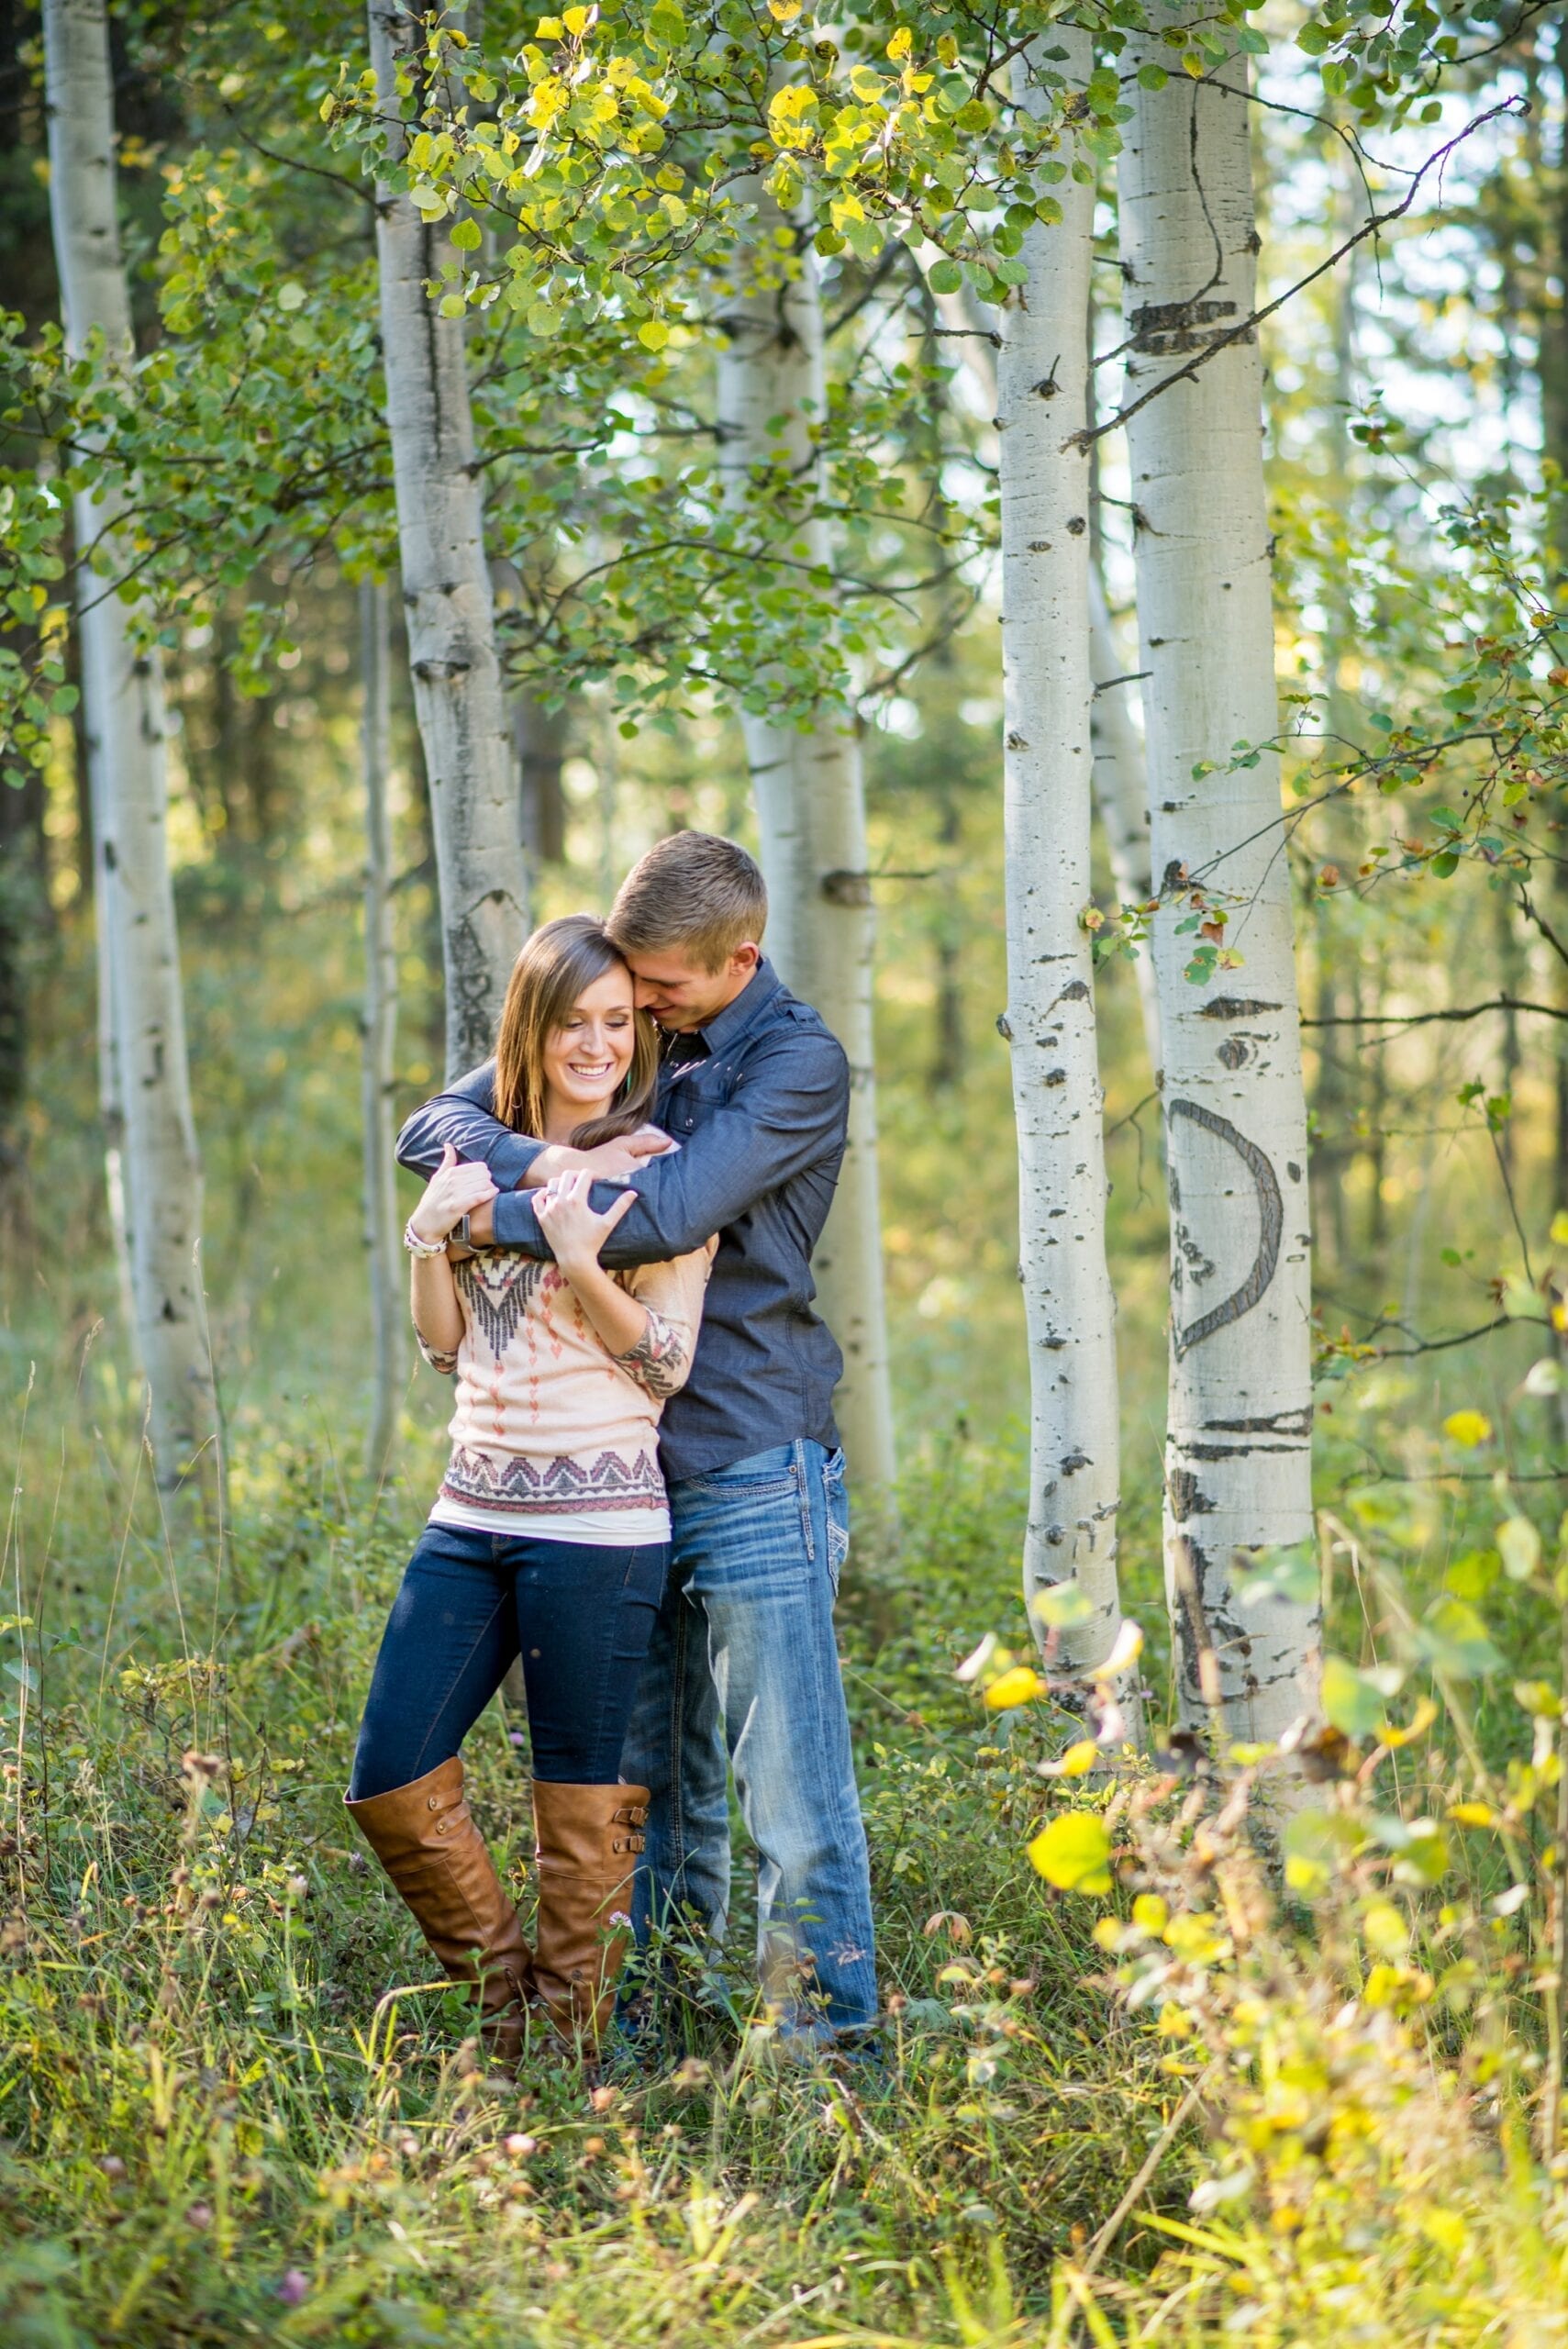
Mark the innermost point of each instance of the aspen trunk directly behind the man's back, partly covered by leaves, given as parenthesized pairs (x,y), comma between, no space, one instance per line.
(811,805)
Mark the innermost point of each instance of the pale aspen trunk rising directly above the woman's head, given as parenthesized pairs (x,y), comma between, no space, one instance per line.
(447,598)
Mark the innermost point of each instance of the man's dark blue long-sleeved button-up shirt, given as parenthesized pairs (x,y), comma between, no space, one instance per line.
(759,1103)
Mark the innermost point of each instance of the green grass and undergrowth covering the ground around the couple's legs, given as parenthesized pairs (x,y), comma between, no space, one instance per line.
(1191,2101)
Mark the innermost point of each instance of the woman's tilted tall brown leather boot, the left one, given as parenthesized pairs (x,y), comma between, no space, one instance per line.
(428,1843)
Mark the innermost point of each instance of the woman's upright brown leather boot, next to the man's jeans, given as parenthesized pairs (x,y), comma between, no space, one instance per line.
(586,1845)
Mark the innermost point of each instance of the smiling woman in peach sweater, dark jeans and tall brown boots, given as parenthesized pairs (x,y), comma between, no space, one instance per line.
(550,1535)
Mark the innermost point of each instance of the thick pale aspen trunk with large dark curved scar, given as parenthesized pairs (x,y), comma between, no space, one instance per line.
(1241,1387)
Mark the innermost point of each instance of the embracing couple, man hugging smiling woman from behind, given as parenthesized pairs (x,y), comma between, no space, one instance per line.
(644,1495)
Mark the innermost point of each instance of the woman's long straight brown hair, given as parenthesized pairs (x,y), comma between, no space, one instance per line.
(553,971)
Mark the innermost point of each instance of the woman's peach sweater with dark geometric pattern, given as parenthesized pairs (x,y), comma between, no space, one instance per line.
(550,1429)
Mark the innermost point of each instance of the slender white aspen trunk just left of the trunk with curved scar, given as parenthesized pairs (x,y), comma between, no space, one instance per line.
(1043,389)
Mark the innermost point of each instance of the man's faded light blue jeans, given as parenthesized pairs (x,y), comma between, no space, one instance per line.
(745,1667)
